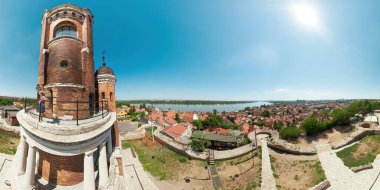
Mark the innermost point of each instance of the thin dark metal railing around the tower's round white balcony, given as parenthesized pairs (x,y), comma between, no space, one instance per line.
(94,109)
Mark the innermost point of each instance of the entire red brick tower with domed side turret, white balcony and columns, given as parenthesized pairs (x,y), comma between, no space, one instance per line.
(72,143)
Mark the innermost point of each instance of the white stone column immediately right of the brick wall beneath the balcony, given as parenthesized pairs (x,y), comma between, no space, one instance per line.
(89,174)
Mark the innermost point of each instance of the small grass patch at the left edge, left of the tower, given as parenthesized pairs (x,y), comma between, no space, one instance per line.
(8,142)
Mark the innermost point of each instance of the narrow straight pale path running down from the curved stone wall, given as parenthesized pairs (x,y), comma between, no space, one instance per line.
(268,181)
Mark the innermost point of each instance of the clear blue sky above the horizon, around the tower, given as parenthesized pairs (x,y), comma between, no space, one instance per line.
(211,49)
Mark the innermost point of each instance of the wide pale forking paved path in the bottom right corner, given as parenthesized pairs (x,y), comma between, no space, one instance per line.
(341,177)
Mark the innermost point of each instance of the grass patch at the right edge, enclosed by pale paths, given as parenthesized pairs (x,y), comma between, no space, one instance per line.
(362,153)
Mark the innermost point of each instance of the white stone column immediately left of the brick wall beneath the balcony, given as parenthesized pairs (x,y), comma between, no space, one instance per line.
(30,168)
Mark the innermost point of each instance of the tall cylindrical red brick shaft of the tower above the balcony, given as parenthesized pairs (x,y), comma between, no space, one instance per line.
(79,55)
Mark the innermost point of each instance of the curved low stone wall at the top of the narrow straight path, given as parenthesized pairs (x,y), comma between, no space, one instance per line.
(276,143)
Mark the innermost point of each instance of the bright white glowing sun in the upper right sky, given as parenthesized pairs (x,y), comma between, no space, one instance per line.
(306,15)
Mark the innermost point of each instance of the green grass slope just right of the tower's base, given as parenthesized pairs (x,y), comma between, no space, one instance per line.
(165,164)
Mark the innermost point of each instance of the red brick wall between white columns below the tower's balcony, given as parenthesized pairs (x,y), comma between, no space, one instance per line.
(61,170)
